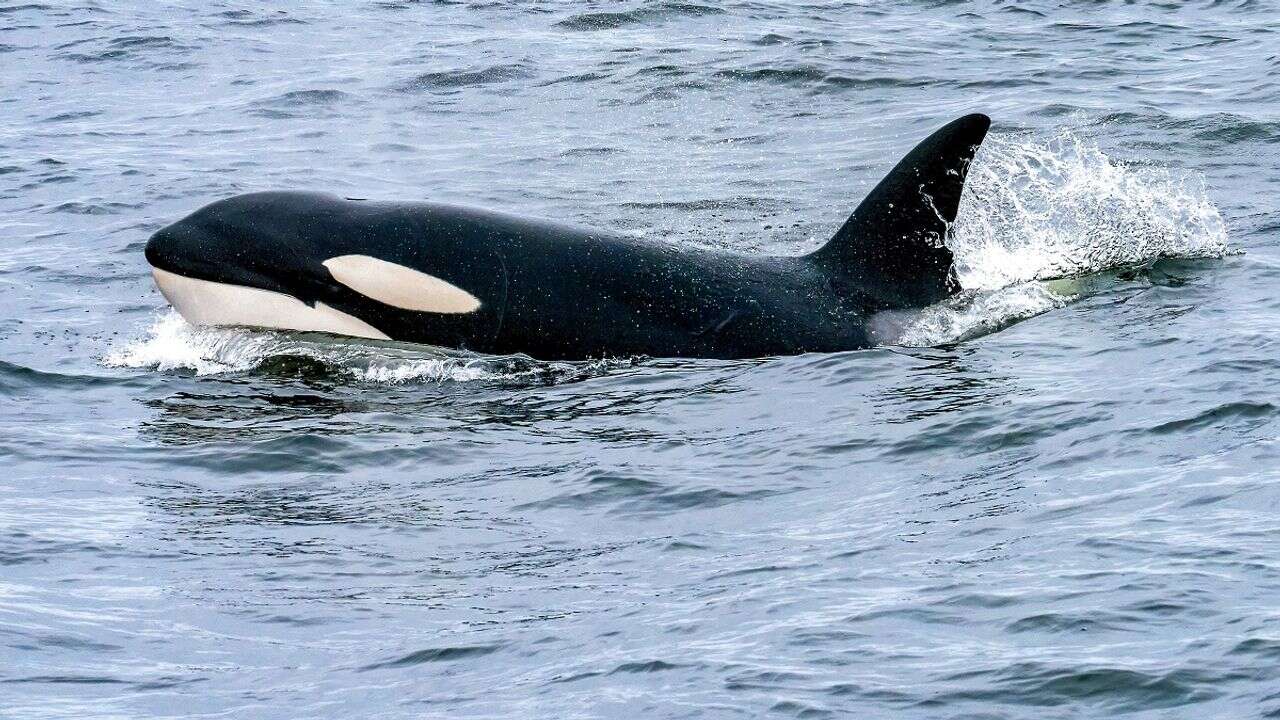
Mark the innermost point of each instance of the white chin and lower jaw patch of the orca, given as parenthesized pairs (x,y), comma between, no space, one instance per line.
(207,303)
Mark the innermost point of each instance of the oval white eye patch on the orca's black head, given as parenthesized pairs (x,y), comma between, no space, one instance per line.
(400,286)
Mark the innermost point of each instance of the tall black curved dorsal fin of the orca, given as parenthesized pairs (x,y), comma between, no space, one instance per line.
(892,247)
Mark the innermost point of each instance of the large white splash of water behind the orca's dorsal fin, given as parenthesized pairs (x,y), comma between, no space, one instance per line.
(1037,211)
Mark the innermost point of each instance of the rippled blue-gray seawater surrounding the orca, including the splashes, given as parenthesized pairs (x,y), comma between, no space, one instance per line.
(1049,500)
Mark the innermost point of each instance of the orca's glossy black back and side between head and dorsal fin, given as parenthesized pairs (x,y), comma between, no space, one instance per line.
(564,293)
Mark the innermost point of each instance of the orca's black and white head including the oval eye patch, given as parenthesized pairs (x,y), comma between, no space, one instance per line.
(290,261)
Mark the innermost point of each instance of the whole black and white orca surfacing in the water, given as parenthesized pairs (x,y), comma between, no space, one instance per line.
(497,284)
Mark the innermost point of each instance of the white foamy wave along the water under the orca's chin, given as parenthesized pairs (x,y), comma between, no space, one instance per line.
(173,345)
